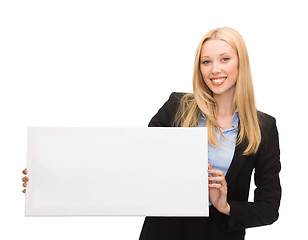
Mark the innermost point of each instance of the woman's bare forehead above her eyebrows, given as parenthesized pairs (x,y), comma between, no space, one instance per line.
(216,47)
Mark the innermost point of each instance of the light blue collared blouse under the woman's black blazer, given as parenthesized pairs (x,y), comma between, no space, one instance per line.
(221,157)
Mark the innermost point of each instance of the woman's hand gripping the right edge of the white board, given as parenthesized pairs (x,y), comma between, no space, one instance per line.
(218,191)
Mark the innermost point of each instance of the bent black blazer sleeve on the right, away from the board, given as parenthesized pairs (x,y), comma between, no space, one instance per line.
(264,209)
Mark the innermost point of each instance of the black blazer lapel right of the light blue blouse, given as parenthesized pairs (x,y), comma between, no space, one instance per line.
(237,162)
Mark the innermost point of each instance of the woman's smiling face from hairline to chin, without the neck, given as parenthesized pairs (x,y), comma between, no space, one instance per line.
(219,66)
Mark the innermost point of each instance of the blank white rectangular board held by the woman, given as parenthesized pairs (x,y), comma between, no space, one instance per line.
(117,171)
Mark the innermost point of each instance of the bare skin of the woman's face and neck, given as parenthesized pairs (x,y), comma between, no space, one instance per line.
(218,59)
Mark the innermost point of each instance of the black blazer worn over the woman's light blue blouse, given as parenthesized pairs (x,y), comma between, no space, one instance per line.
(243,214)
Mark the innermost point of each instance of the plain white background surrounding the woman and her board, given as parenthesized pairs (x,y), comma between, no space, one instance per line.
(114,63)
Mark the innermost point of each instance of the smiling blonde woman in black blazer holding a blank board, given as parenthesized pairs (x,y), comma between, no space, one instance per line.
(241,139)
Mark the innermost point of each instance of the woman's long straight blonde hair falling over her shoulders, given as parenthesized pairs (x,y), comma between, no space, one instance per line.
(201,100)
